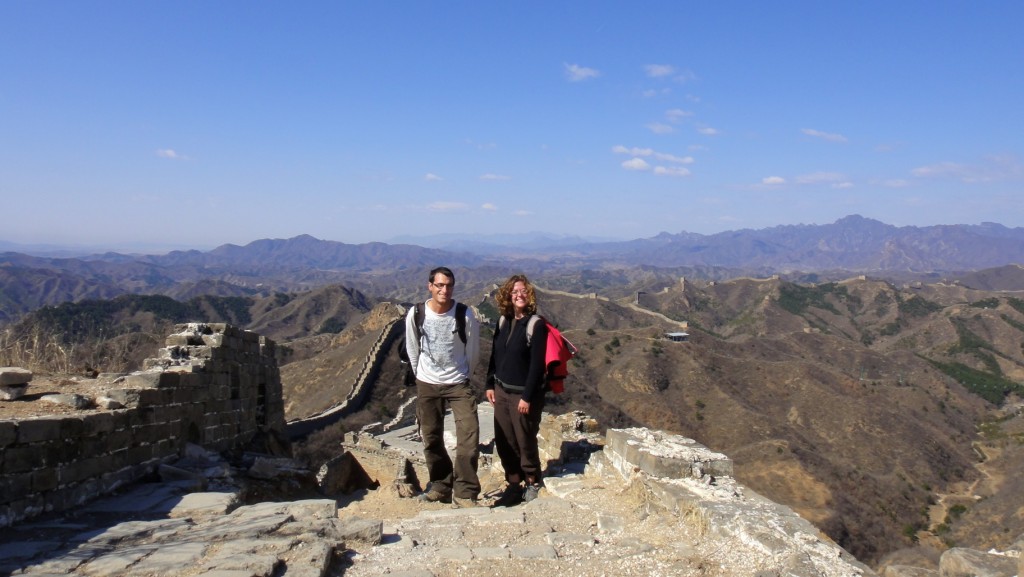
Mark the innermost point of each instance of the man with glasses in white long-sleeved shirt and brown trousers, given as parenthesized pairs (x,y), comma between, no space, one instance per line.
(444,363)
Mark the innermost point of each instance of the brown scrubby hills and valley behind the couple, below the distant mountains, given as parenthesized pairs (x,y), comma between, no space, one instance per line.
(884,407)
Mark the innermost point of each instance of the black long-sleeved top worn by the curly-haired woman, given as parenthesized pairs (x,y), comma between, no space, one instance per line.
(519,366)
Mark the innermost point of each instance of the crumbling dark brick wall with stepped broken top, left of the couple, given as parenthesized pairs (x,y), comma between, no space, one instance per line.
(212,385)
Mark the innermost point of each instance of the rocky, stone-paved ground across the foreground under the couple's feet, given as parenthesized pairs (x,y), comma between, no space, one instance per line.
(582,526)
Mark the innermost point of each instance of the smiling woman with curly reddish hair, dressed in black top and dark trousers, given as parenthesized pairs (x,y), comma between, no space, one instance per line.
(516,388)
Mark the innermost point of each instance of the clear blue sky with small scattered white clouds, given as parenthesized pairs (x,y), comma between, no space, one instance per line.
(194,125)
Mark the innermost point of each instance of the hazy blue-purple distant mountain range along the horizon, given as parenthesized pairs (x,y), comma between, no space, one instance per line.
(851,245)
